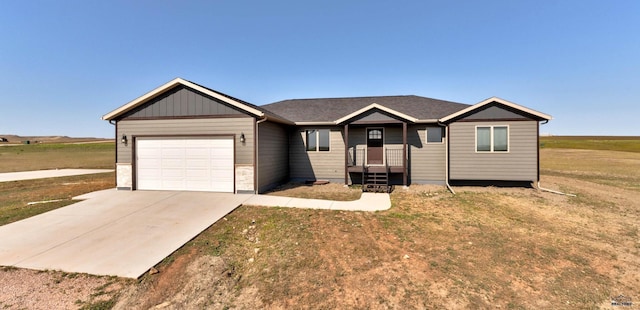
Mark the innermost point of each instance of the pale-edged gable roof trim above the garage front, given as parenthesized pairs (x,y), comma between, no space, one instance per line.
(238,104)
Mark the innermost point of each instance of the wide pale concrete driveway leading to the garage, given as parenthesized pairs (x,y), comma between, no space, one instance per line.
(121,233)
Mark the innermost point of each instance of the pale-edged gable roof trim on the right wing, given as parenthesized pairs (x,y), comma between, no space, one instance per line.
(510,107)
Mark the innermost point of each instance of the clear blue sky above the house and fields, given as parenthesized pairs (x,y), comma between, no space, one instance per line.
(64,64)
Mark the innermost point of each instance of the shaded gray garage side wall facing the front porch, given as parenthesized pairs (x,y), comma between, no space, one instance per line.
(273,155)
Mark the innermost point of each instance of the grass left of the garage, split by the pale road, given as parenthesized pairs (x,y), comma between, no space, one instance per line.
(15,196)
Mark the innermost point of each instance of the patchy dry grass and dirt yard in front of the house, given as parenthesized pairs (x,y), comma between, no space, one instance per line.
(485,247)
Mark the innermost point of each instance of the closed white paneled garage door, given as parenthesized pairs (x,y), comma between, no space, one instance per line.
(186,164)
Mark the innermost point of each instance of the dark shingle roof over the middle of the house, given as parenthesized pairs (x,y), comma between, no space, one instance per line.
(331,109)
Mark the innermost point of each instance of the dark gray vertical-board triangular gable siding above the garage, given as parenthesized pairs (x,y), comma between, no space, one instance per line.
(182,101)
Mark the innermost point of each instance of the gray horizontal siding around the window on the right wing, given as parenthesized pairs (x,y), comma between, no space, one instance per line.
(519,164)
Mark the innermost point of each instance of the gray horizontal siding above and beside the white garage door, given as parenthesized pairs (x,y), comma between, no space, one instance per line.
(188,127)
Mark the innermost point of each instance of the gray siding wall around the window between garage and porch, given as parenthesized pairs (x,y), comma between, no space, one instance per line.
(316,165)
